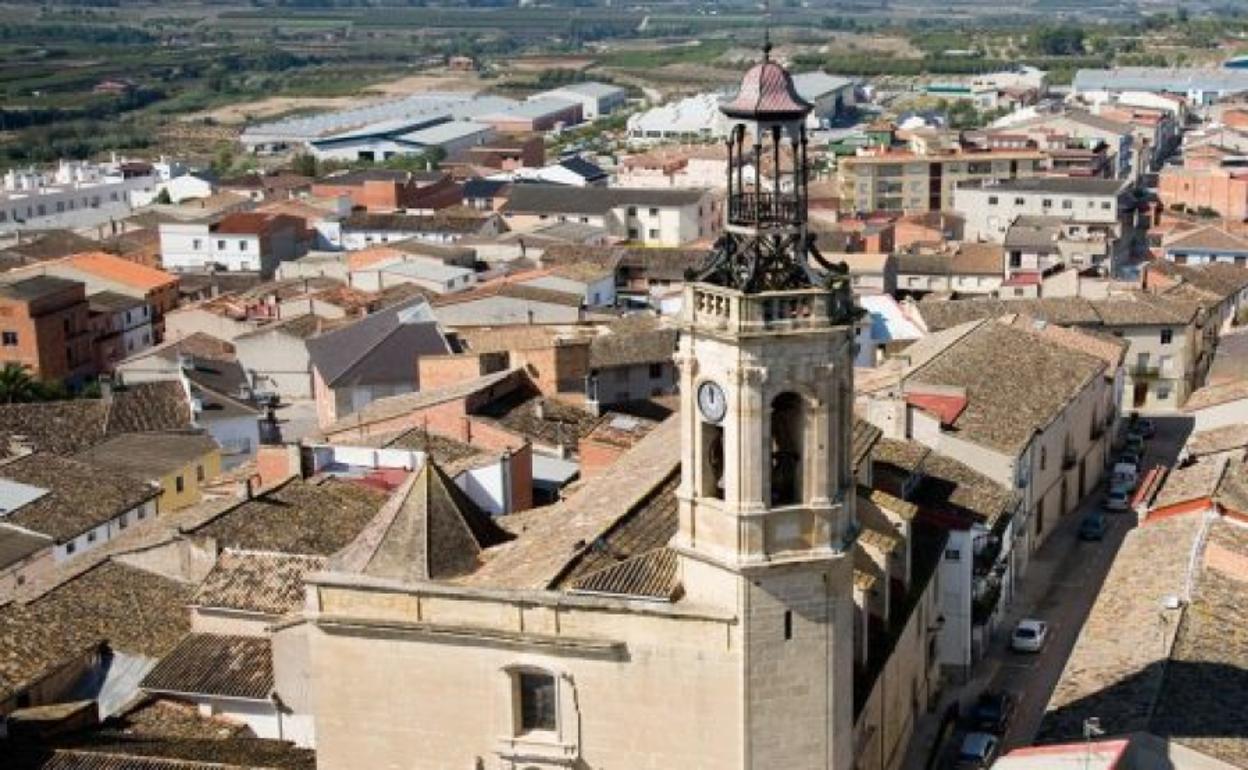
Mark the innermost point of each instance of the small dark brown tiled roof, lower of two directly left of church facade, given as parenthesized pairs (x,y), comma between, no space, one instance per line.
(215,665)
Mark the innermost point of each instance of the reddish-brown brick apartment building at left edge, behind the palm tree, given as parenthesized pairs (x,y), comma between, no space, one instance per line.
(46,328)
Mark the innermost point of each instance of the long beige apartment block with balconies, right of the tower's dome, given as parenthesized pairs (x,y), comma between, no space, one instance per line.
(917,183)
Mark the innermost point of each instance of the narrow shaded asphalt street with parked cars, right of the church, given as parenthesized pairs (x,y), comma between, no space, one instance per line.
(1061,586)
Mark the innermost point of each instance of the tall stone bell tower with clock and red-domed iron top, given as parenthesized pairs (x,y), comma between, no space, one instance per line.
(767,494)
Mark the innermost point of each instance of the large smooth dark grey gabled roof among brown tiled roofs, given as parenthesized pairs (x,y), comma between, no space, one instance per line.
(379,349)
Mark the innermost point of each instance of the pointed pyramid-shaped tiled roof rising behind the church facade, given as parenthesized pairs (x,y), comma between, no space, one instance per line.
(430,530)
